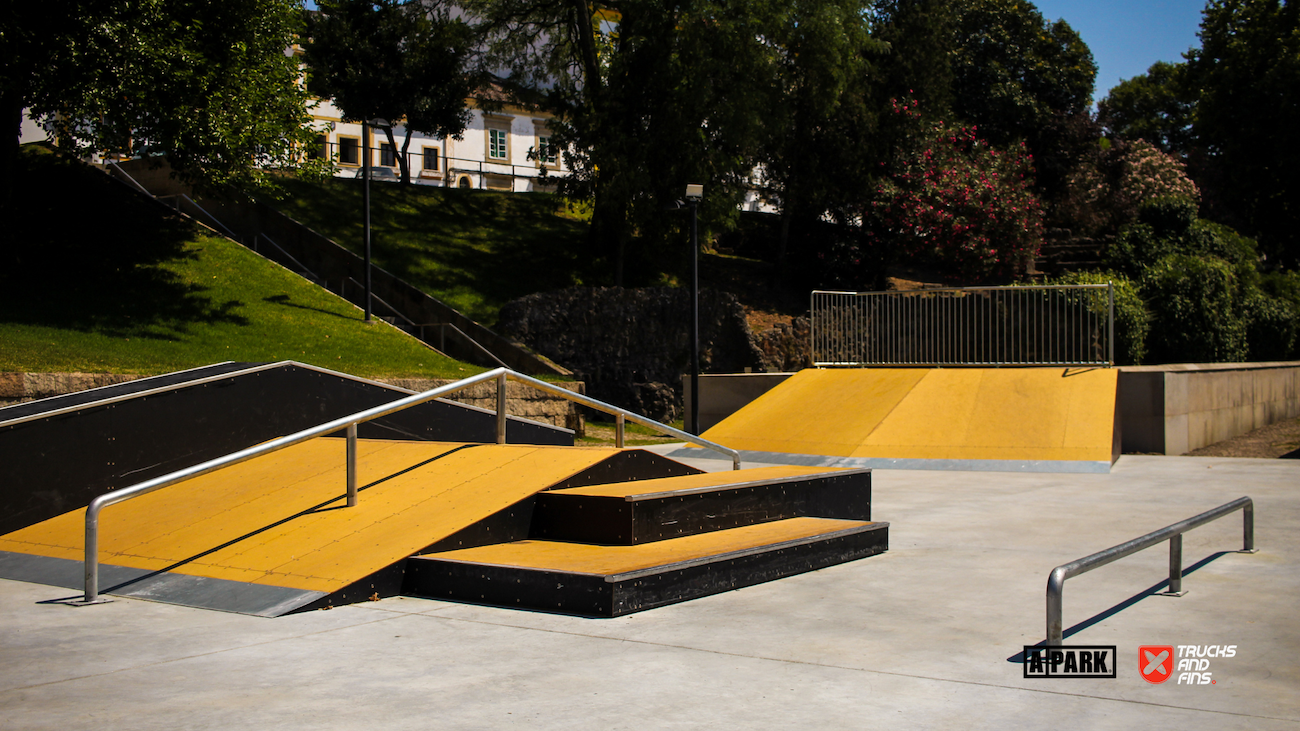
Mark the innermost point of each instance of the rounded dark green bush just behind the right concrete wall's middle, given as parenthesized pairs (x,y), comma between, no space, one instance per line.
(1197,312)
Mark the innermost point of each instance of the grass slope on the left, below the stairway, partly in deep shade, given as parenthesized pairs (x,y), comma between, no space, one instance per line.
(96,279)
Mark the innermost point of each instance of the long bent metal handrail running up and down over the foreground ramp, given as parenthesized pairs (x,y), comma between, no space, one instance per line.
(349,425)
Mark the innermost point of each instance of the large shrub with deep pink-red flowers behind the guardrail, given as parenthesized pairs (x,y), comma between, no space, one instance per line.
(956,202)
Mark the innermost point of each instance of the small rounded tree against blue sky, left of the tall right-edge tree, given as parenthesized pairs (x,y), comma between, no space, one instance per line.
(1158,107)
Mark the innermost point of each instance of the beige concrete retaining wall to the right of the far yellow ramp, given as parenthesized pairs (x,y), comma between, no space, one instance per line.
(1181,408)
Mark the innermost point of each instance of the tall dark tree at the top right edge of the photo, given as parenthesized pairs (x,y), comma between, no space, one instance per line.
(1247,73)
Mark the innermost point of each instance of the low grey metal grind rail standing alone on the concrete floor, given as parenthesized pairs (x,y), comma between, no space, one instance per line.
(1172,534)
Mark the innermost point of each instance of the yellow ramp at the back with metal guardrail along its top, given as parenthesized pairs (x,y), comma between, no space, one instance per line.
(1050,419)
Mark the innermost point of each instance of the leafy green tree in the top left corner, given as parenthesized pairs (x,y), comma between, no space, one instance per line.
(209,85)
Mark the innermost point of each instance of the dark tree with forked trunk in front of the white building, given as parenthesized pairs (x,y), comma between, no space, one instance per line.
(393,60)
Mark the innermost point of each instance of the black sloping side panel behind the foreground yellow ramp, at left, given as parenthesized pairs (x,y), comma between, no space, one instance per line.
(60,464)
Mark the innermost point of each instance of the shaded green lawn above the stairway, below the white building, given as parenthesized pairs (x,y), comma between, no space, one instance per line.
(473,249)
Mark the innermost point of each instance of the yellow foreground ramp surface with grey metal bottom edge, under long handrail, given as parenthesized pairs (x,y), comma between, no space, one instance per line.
(274,534)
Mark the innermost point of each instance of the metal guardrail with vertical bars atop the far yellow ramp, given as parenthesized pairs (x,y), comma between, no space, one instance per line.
(1019,326)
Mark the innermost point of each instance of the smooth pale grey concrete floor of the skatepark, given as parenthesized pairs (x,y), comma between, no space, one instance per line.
(920,638)
